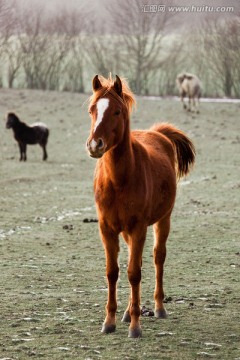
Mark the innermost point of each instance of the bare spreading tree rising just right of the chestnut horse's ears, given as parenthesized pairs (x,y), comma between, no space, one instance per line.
(141,30)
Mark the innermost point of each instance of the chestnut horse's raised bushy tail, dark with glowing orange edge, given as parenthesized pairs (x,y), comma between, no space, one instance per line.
(184,148)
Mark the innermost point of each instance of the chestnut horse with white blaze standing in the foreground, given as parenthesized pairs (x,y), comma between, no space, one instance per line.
(135,186)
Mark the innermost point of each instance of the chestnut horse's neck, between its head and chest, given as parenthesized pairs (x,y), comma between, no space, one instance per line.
(119,162)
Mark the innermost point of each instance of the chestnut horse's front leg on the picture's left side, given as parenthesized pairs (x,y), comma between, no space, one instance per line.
(111,245)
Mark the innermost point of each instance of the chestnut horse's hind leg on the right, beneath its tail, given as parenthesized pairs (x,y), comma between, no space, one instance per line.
(161,231)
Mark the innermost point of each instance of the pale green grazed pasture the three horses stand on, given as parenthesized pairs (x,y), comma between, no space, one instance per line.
(52,284)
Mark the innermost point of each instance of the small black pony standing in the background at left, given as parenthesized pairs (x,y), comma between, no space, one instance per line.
(25,134)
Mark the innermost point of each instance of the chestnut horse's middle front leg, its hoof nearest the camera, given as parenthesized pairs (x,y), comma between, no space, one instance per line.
(136,244)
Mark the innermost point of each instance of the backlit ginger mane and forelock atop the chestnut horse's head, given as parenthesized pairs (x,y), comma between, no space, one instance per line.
(107,88)
